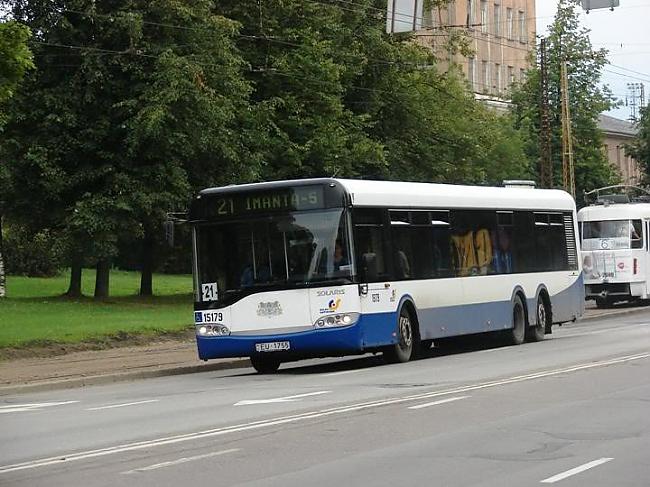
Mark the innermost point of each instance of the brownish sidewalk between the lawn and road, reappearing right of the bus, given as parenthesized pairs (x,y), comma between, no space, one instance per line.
(157,359)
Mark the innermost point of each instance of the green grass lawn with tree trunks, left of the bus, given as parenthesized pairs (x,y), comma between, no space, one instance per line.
(35,313)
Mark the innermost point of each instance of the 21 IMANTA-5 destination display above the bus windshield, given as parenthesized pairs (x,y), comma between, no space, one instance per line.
(284,199)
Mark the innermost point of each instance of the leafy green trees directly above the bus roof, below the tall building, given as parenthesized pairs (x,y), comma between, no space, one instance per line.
(345,98)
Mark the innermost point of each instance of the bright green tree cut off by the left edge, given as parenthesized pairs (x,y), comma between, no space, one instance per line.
(15,61)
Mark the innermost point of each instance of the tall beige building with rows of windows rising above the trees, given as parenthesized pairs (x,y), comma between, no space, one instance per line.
(501,36)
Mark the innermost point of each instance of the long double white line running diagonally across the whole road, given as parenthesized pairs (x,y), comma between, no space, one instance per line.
(254,425)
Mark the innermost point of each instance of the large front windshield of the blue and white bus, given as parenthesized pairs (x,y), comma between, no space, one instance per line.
(297,248)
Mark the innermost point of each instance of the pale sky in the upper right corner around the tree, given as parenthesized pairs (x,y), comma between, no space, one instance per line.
(625,33)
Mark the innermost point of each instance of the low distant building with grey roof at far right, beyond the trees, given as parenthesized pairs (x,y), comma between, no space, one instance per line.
(617,133)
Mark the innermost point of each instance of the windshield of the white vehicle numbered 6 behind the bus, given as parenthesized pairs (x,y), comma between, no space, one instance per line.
(619,234)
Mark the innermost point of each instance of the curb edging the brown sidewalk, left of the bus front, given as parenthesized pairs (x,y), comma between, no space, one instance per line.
(111,378)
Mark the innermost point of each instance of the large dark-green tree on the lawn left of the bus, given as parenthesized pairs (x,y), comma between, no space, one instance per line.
(134,103)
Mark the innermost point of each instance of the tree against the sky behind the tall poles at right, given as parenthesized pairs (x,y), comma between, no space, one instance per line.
(567,41)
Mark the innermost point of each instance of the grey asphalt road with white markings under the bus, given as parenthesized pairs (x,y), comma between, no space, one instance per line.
(572,410)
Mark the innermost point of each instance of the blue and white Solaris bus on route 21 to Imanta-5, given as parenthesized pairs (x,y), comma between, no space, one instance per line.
(330,267)
